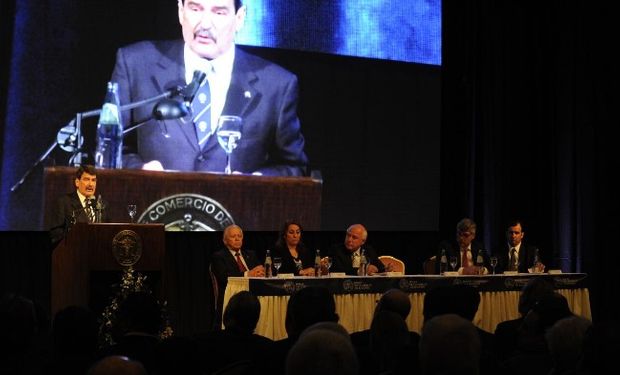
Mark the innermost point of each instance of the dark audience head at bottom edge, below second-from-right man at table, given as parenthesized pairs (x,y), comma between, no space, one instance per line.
(449,345)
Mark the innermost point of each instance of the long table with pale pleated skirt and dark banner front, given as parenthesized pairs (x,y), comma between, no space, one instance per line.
(356,297)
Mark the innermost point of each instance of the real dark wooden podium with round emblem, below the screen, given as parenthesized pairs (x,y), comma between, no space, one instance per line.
(92,247)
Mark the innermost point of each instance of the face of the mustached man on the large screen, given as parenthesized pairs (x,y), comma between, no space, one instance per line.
(209,26)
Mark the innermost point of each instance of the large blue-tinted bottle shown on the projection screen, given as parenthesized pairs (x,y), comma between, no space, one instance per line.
(110,131)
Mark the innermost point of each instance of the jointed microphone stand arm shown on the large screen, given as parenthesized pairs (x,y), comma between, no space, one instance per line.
(75,139)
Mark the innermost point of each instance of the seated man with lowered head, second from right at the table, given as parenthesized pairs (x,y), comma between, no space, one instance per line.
(465,249)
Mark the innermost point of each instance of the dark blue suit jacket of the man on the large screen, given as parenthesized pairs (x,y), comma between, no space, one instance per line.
(262,93)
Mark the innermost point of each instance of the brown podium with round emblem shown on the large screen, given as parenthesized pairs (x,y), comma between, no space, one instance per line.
(197,200)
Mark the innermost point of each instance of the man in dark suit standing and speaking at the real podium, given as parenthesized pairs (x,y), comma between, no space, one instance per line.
(79,206)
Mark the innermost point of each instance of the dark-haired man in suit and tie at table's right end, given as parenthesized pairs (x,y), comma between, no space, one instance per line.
(516,255)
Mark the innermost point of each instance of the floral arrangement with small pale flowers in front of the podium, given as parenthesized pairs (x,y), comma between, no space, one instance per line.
(131,282)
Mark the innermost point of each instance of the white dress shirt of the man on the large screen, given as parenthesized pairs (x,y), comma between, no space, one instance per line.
(219,73)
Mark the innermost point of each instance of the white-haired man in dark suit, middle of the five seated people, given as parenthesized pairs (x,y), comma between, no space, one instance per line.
(346,257)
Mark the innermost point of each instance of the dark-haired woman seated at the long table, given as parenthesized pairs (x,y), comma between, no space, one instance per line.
(296,259)
